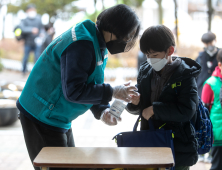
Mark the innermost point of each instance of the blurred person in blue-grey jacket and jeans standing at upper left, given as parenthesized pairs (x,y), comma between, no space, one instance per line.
(31,27)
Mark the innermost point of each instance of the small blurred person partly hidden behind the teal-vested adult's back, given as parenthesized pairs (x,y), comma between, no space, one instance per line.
(48,36)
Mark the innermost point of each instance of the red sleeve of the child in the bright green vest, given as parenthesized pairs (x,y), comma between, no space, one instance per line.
(207,96)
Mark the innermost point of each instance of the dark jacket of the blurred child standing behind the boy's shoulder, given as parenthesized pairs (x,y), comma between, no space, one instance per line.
(207,71)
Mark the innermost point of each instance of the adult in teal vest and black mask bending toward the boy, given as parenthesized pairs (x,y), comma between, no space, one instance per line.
(68,79)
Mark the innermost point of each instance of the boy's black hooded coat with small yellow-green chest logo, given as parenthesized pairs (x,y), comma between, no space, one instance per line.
(176,109)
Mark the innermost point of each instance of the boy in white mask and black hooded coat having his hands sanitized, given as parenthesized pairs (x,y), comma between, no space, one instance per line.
(168,93)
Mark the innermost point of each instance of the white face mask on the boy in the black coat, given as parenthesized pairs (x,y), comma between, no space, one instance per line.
(157,63)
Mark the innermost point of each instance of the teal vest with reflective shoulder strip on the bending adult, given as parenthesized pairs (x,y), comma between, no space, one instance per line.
(42,95)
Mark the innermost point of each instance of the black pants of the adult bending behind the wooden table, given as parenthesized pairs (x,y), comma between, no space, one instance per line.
(37,137)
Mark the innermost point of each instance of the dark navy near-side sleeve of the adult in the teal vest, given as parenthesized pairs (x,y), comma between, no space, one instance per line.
(76,62)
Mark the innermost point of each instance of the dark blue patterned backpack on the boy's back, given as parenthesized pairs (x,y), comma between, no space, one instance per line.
(203,127)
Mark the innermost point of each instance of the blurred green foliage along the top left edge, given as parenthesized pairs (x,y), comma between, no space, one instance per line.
(60,8)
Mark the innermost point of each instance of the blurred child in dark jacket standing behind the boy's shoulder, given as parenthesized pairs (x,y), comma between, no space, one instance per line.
(207,59)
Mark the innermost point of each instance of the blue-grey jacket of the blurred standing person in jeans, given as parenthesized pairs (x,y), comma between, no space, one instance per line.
(27,25)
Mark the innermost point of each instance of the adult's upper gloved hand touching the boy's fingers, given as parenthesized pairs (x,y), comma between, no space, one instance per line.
(124,92)
